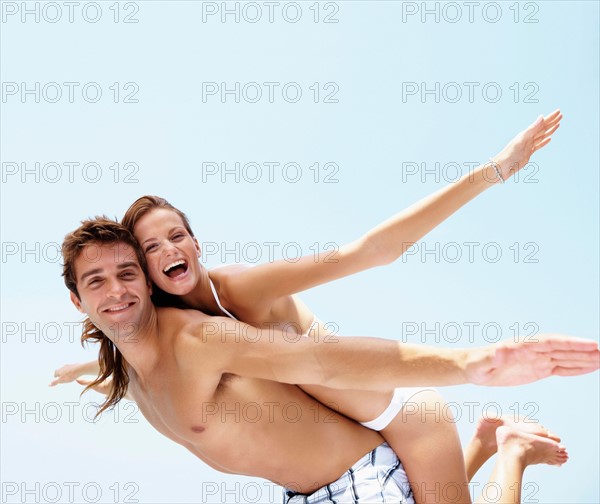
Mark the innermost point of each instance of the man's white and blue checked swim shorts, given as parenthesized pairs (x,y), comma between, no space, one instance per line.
(378,477)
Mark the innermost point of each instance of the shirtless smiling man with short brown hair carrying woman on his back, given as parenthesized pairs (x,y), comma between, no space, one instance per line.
(184,368)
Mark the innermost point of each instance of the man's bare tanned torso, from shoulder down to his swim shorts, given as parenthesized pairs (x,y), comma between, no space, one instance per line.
(293,430)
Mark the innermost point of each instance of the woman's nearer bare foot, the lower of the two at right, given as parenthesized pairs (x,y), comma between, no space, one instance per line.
(529,448)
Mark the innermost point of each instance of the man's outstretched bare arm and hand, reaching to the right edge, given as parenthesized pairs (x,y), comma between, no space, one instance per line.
(377,364)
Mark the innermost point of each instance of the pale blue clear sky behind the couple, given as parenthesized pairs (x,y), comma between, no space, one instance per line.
(372,136)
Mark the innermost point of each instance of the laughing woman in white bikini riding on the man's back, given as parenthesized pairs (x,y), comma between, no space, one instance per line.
(253,295)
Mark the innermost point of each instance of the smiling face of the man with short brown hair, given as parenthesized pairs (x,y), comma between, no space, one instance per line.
(112,288)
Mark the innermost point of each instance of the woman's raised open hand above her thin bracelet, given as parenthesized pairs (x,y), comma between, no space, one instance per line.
(517,153)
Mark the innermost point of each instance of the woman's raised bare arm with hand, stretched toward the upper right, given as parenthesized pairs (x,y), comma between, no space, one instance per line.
(389,240)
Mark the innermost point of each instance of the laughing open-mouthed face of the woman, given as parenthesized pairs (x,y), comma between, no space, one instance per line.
(172,254)
